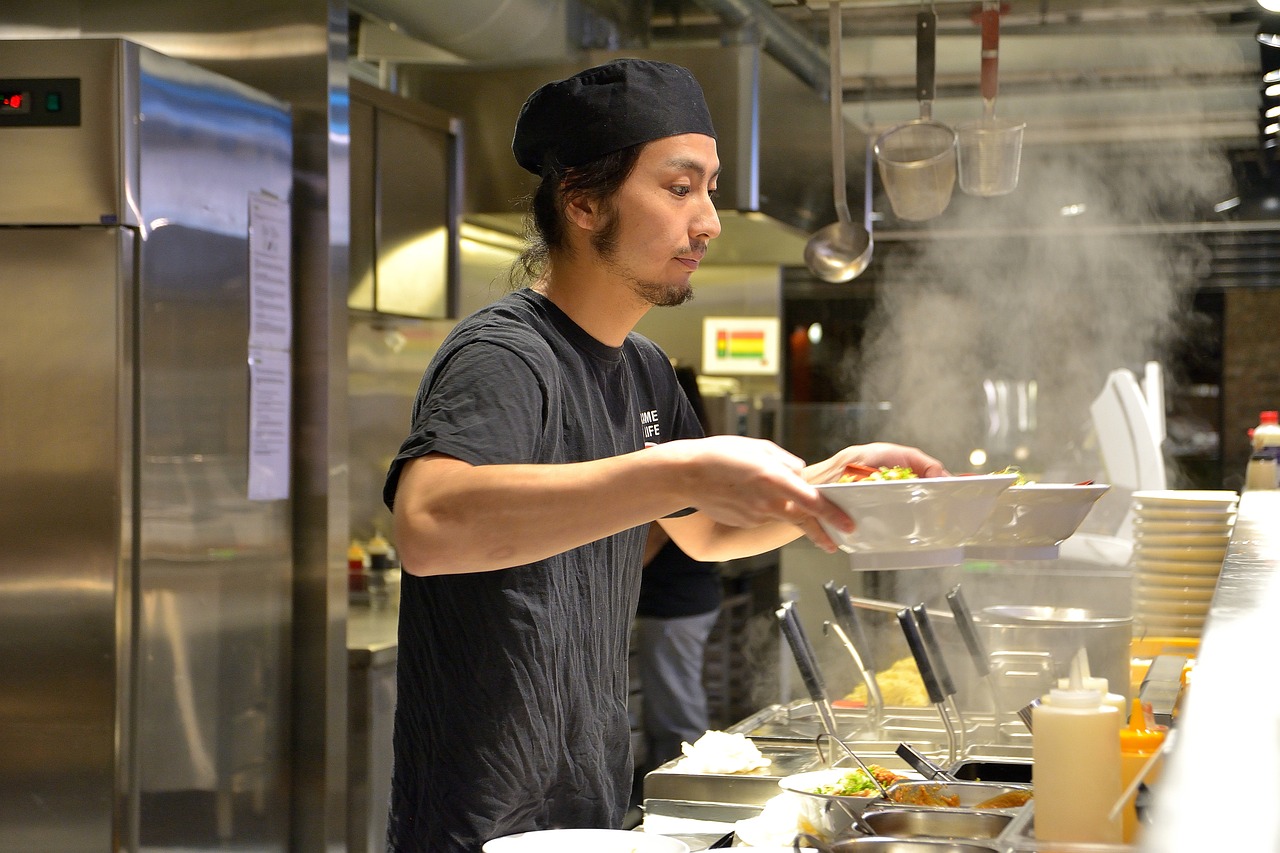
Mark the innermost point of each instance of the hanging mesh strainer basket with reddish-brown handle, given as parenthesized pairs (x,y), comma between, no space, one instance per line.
(990,149)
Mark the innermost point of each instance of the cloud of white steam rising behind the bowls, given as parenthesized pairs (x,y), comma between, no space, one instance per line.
(1058,300)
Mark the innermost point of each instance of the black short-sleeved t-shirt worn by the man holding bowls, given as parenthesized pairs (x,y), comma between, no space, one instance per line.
(511,699)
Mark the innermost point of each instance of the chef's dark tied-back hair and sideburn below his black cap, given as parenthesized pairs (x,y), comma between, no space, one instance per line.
(546,227)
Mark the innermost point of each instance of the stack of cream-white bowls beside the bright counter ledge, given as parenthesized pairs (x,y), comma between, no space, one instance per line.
(1180,544)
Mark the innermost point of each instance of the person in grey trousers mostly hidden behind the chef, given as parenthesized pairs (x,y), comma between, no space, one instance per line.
(680,600)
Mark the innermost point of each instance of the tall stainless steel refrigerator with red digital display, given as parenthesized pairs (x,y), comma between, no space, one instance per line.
(145,592)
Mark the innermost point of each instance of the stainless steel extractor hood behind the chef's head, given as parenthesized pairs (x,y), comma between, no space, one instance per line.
(775,185)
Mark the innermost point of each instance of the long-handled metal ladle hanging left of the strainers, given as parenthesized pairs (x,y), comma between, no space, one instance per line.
(840,252)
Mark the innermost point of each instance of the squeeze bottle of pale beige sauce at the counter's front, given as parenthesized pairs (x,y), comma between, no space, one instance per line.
(1076,767)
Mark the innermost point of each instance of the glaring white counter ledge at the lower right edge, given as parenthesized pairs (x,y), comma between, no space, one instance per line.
(1223,782)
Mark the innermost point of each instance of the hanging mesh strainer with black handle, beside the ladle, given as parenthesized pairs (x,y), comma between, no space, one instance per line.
(918,159)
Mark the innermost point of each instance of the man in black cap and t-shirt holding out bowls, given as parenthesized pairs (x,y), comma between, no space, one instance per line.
(546,437)
